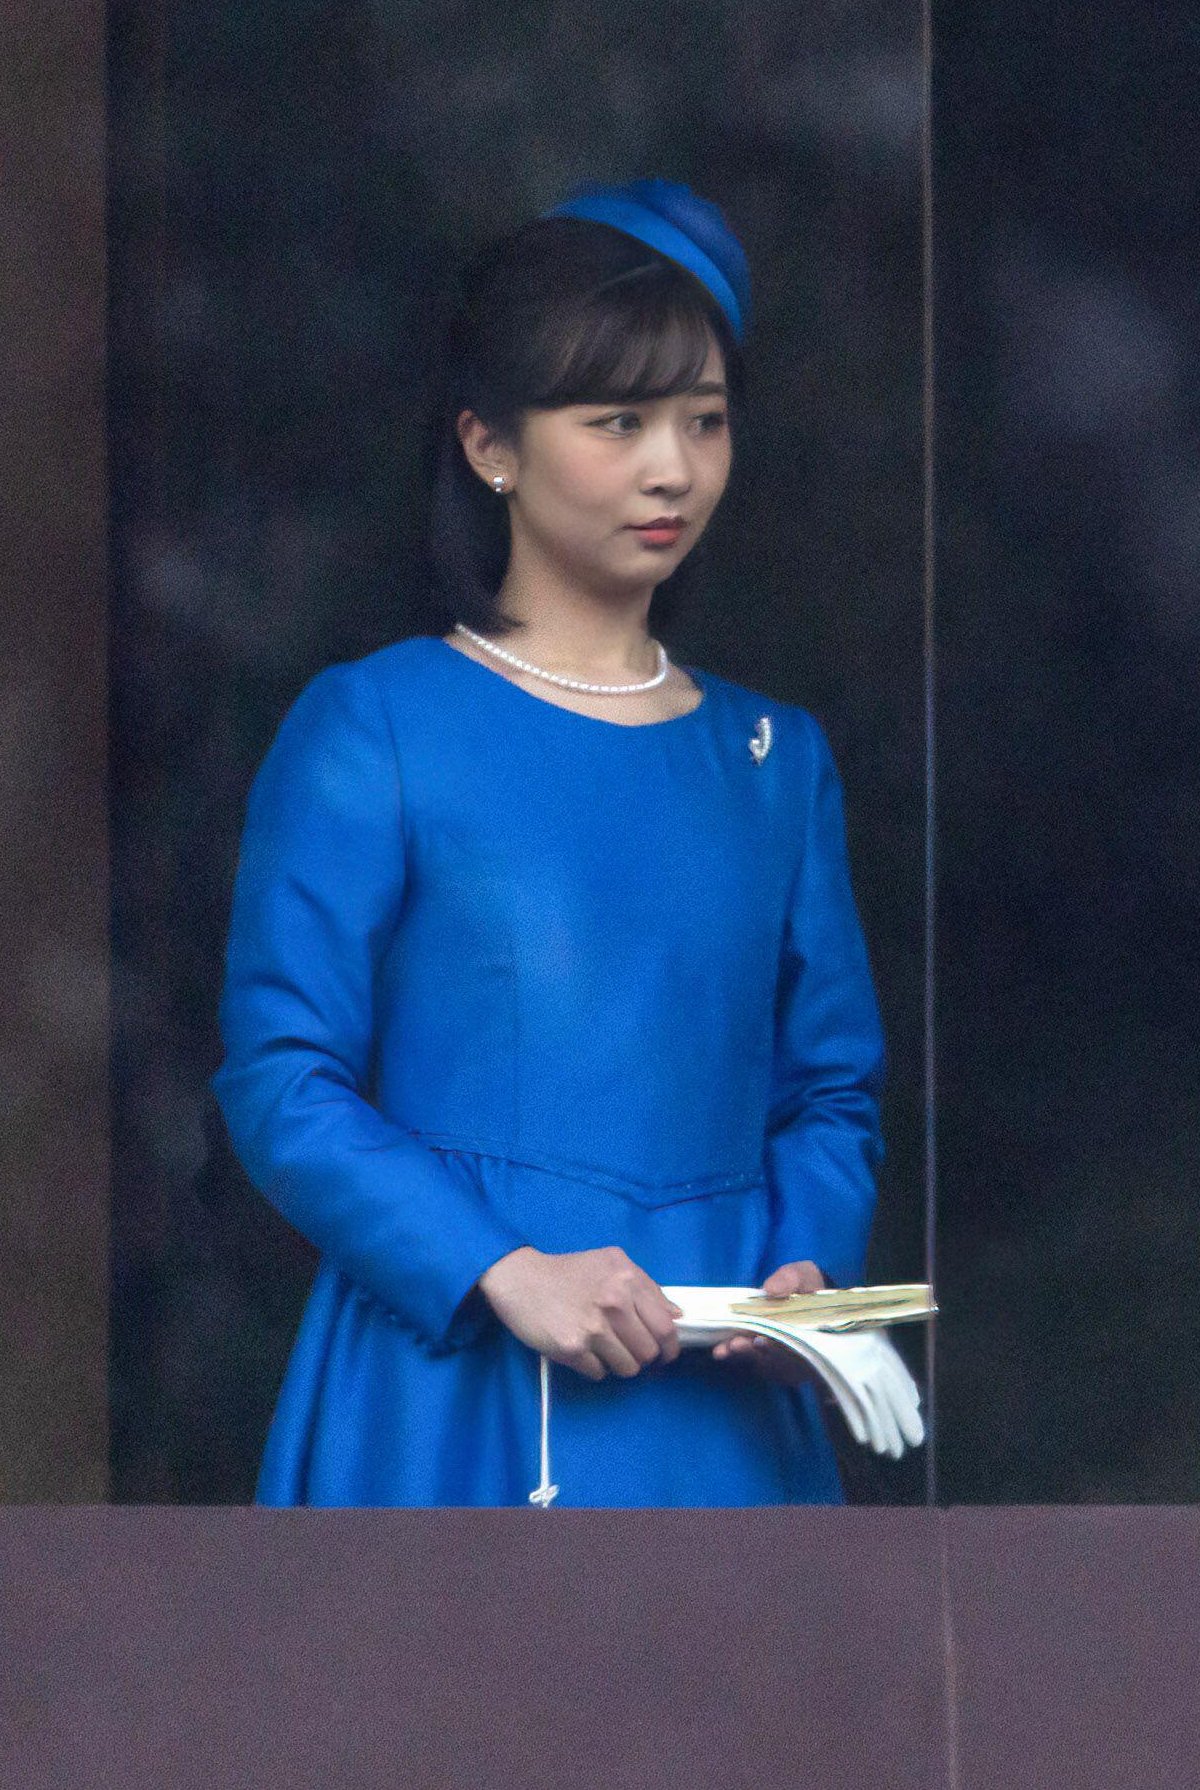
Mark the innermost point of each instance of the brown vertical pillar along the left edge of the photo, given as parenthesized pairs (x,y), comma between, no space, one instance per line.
(55,878)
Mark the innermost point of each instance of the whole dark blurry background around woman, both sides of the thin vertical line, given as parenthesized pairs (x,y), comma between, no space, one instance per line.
(289,194)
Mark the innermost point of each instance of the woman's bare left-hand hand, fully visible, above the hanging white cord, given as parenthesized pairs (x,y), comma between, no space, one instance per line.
(592,1309)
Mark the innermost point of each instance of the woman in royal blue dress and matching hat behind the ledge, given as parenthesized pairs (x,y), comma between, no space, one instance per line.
(545,985)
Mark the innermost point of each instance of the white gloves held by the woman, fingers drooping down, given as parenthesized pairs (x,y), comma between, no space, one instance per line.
(871,1385)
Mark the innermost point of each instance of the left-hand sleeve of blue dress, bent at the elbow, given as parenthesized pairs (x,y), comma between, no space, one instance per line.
(318,894)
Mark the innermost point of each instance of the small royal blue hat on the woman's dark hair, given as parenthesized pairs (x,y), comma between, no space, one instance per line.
(681,226)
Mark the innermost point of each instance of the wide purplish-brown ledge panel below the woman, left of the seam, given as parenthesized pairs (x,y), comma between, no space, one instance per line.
(547,1651)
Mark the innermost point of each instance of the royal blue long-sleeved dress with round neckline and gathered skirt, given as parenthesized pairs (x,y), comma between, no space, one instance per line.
(508,975)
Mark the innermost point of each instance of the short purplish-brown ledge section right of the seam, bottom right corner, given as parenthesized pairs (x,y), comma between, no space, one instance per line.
(1077,1648)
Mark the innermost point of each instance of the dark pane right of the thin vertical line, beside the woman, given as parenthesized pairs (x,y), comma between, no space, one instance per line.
(1070,740)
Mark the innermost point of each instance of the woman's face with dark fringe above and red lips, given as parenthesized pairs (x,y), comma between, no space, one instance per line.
(587,477)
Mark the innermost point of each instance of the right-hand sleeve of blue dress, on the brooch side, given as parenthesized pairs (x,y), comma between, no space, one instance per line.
(825,1143)
